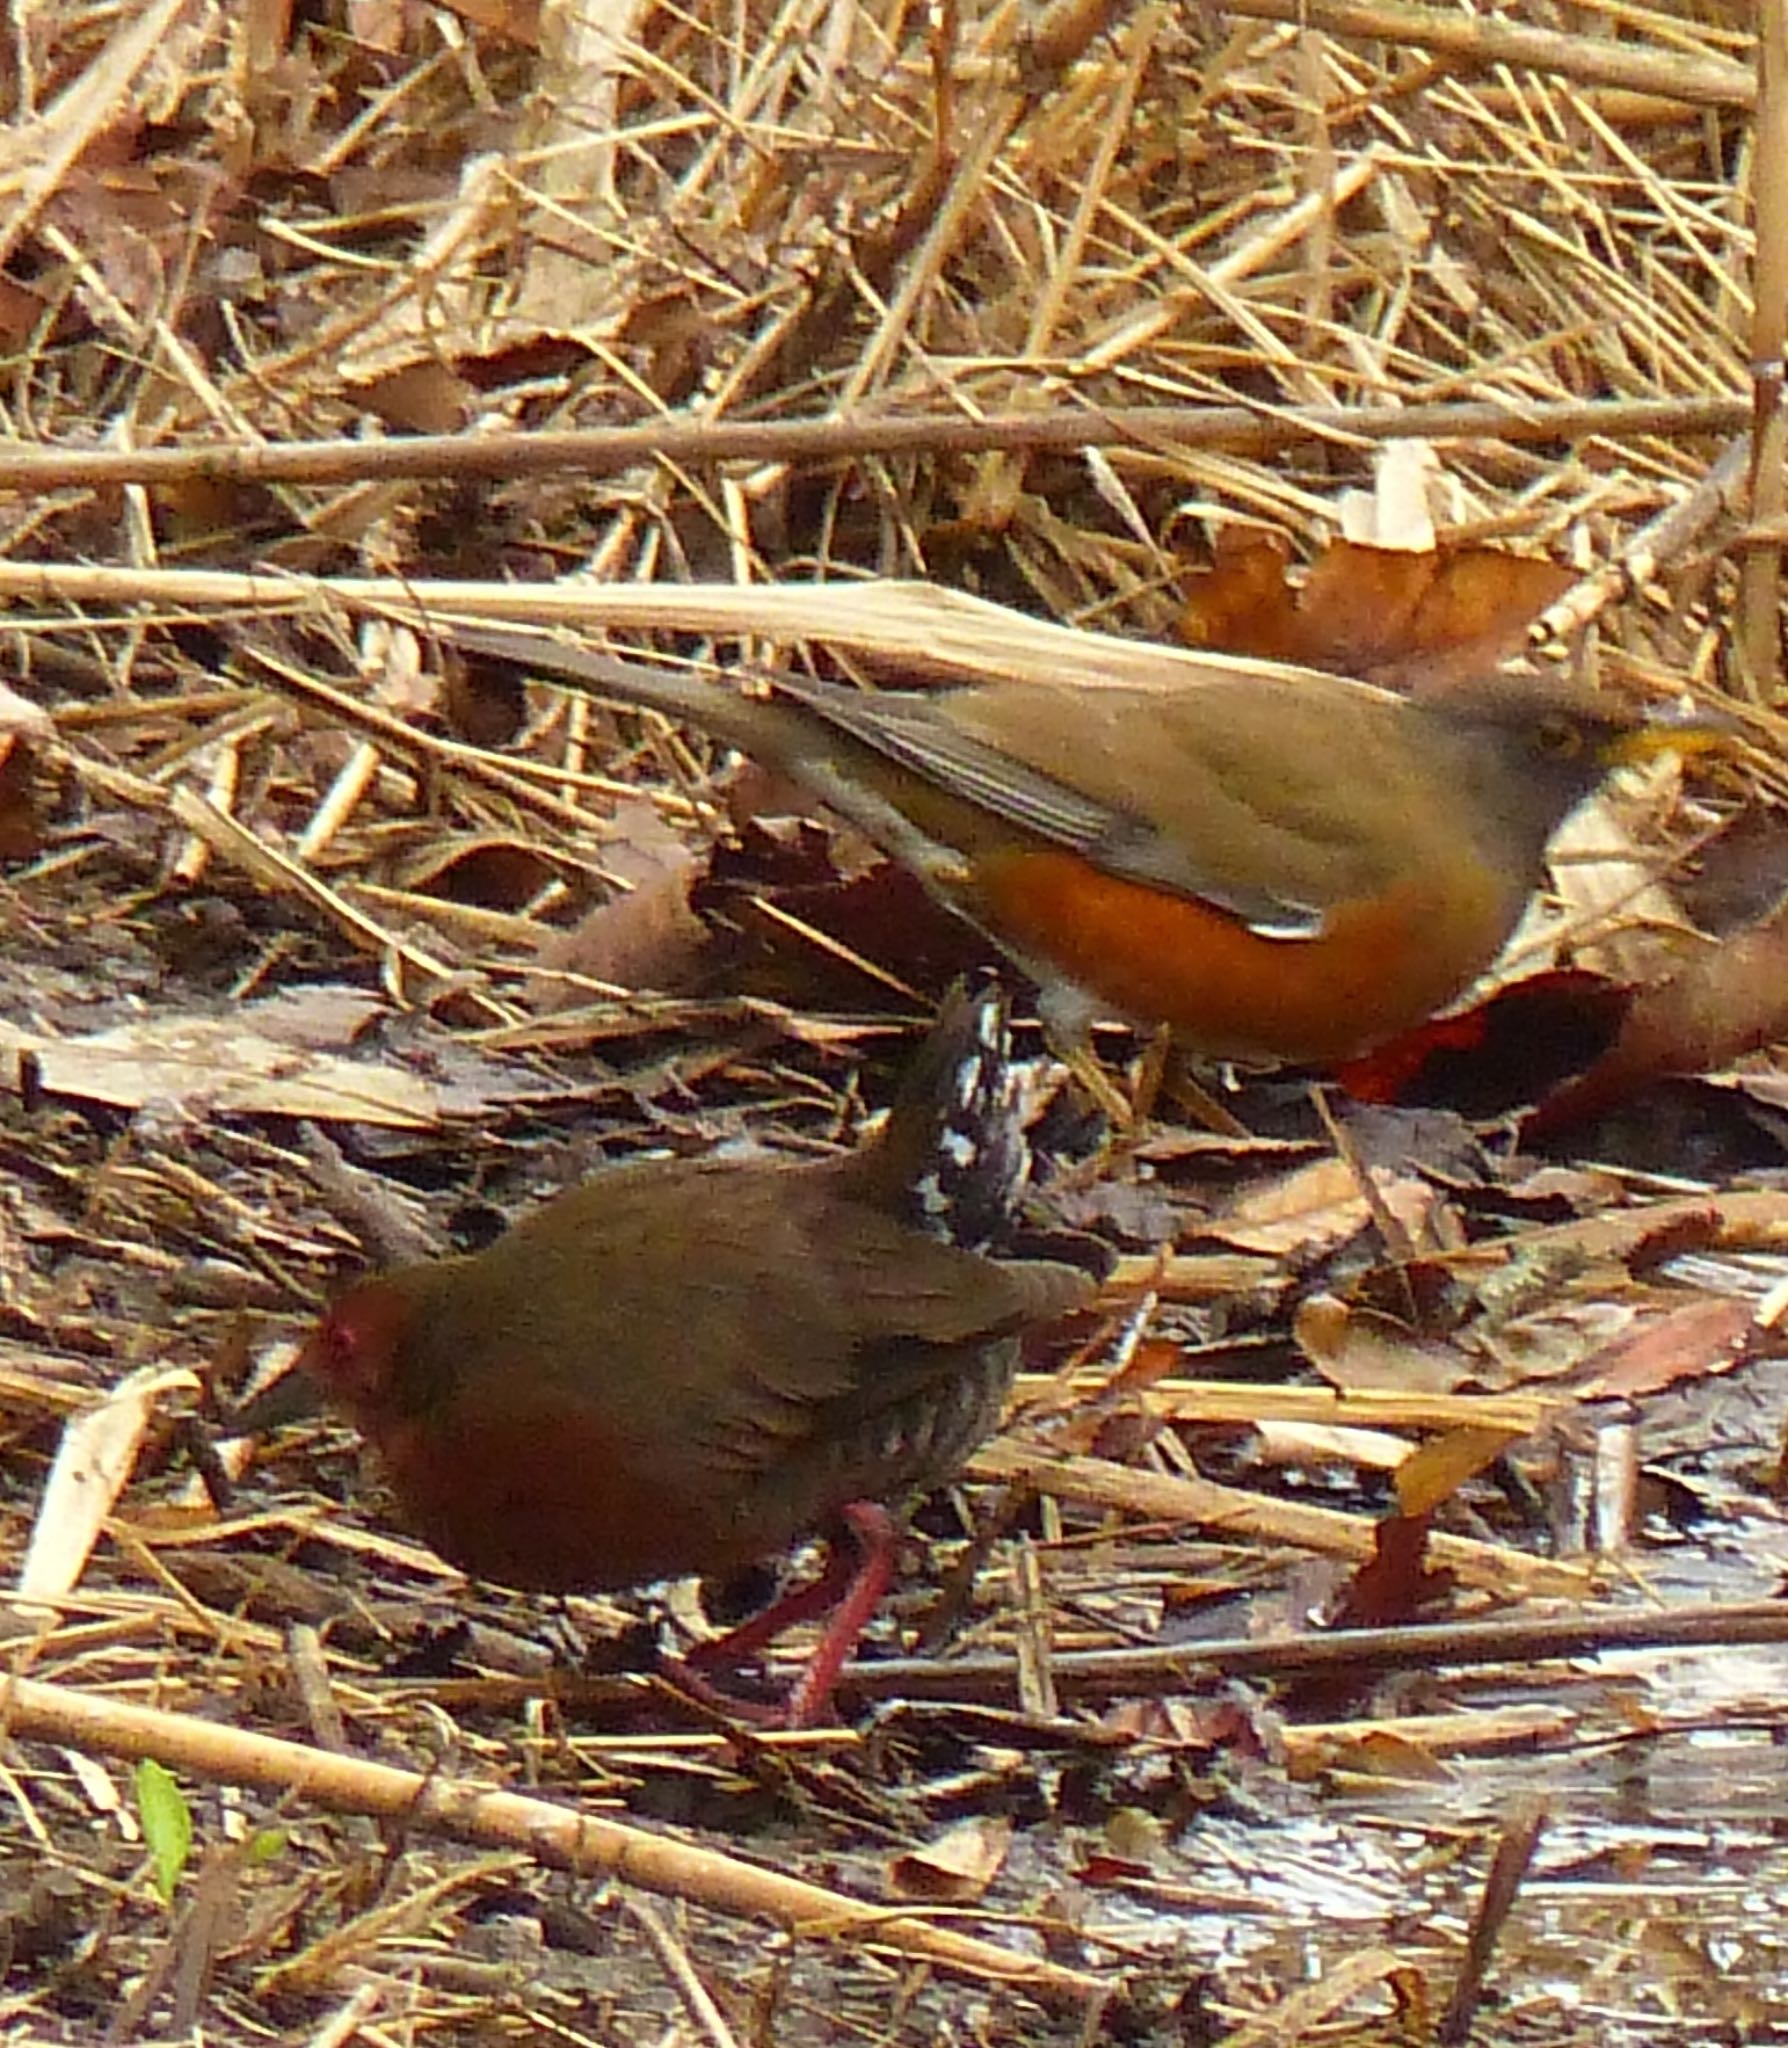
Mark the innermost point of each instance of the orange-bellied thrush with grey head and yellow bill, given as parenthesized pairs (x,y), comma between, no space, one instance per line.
(1279,865)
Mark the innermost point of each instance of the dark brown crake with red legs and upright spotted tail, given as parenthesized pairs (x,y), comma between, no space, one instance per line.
(683,1367)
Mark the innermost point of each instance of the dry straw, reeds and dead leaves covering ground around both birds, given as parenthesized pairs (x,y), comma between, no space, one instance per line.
(902,341)
